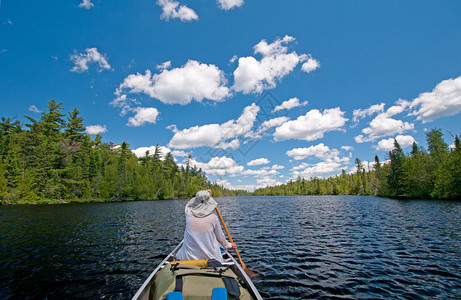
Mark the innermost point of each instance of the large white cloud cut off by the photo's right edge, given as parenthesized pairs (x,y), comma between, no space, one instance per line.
(444,100)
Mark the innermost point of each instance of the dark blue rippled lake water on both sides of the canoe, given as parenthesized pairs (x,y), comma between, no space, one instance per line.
(346,247)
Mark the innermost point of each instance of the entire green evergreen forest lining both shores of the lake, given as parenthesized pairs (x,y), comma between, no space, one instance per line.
(54,160)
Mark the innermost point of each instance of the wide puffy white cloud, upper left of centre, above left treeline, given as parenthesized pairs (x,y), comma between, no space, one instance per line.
(193,81)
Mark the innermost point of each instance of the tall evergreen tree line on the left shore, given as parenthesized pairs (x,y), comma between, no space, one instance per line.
(53,159)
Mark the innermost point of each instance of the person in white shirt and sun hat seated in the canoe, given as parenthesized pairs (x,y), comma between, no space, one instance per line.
(203,234)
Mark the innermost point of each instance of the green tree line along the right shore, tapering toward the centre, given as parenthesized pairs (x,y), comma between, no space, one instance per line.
(431,173)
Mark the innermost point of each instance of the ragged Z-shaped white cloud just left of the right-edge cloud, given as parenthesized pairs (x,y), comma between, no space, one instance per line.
(383,124)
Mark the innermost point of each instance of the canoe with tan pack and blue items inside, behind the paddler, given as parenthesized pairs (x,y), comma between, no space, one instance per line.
(197,280)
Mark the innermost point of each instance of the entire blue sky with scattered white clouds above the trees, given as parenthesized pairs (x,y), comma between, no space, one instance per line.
(258,92)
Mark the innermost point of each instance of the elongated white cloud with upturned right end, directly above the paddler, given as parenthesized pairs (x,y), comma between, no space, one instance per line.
(214,135)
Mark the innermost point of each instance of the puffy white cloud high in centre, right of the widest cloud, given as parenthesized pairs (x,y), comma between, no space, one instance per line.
(254,75)
